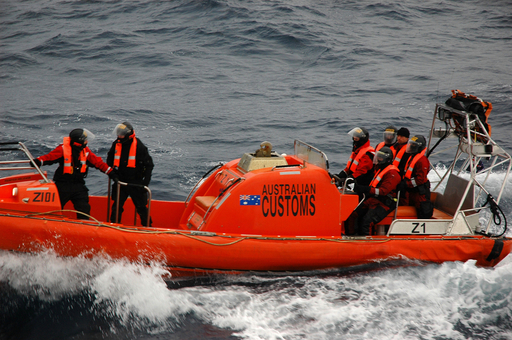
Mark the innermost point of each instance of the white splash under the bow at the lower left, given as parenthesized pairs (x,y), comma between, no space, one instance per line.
(126,291)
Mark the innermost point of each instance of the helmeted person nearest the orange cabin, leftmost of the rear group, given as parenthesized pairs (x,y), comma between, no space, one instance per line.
(360,163)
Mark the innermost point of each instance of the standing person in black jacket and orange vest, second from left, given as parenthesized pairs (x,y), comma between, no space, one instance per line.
(131,159)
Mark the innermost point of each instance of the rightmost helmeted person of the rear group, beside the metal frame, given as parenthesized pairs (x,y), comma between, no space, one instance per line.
(416,177)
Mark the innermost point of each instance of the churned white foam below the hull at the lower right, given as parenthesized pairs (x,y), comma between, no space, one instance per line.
(435,301)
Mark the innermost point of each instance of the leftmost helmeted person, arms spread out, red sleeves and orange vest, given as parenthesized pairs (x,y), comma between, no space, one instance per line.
(74,158)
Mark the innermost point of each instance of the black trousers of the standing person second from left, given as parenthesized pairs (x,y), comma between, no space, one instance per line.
(139,199)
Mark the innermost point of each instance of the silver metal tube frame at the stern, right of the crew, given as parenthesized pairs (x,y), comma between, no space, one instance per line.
(466,195)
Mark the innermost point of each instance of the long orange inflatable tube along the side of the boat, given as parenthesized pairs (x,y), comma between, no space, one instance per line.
(189,253)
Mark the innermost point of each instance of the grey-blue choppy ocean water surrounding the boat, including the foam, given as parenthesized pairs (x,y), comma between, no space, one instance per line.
(206,81)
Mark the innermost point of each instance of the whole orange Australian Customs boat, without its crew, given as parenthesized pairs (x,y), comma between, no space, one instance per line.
(273,214)
